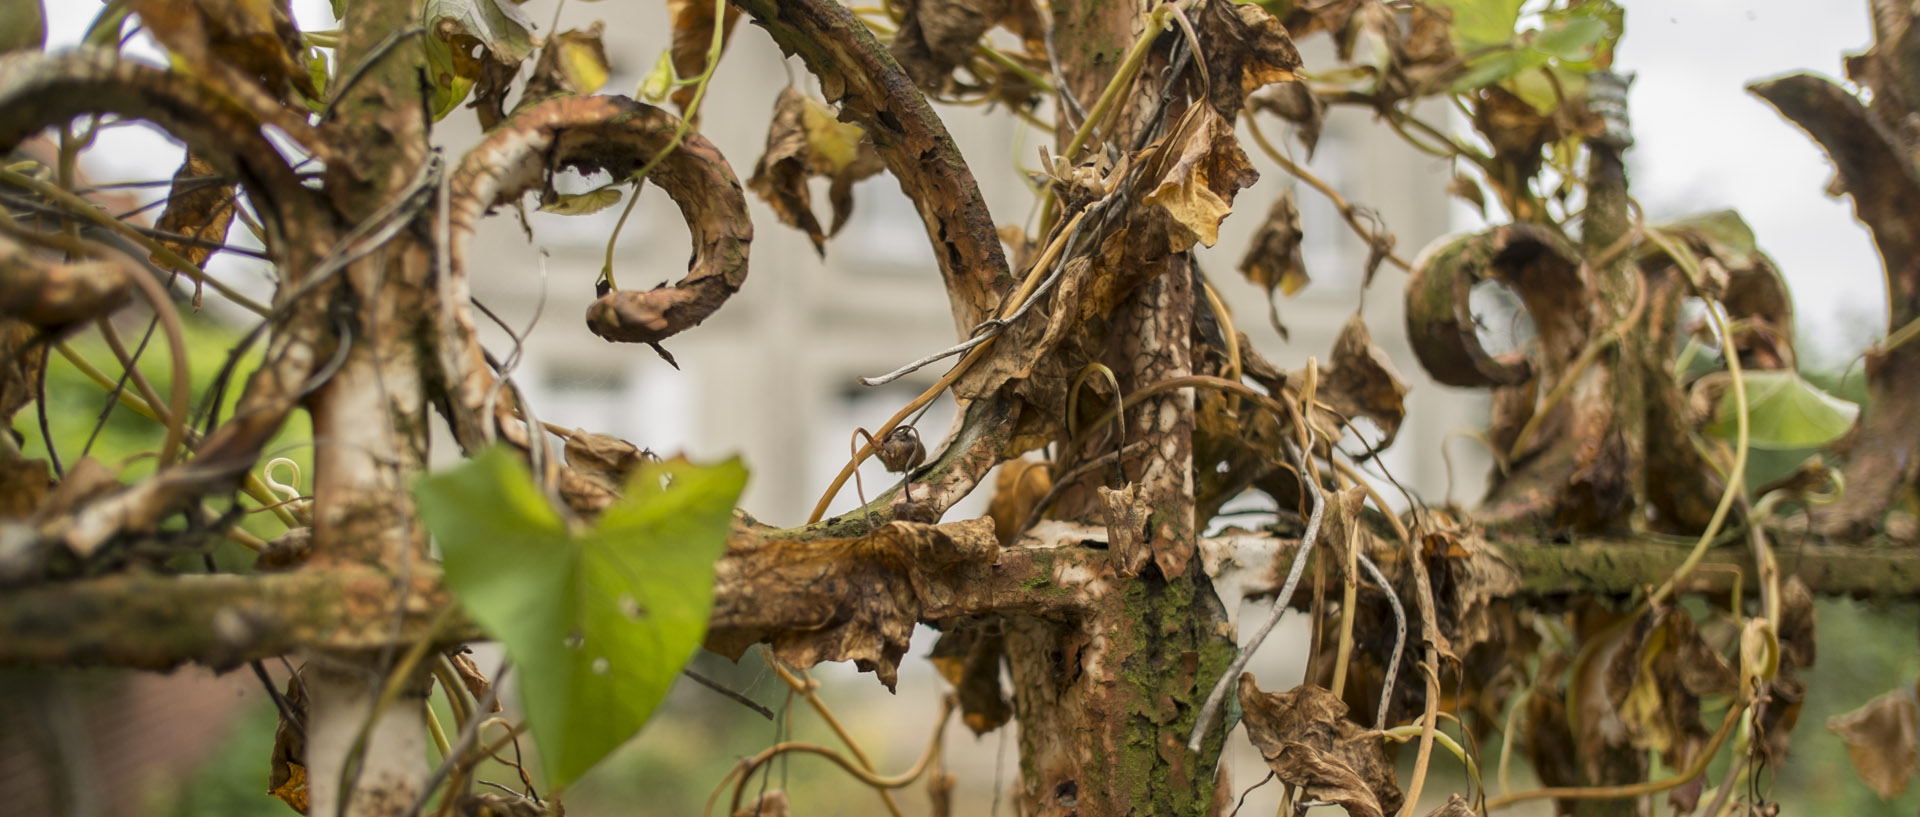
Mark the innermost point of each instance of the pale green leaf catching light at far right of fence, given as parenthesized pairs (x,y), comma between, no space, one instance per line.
(1785,413)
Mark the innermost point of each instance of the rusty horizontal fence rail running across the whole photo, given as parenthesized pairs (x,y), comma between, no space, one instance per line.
(842,599)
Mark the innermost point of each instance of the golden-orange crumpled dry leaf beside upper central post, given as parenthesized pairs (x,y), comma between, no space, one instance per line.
(1197,170)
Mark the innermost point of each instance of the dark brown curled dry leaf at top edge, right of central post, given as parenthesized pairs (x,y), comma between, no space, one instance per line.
(1245,51)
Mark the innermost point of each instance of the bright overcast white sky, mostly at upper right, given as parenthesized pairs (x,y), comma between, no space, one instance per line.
(1704,143)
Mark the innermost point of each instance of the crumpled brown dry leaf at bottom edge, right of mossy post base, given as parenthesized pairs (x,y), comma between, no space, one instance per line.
(1308,741)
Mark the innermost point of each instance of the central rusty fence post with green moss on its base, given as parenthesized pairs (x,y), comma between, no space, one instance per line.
(1107,701)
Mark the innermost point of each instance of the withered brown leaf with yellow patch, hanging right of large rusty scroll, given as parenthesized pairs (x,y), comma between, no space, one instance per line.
(802,143)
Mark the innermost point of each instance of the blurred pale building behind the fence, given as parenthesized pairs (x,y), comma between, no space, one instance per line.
(773,375)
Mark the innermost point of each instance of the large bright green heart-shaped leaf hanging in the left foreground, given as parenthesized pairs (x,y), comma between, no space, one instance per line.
(598,622)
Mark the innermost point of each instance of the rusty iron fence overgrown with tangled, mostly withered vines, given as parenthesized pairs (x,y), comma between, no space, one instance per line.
(1105,392)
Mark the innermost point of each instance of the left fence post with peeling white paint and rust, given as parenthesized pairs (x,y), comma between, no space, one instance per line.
(370,419)
